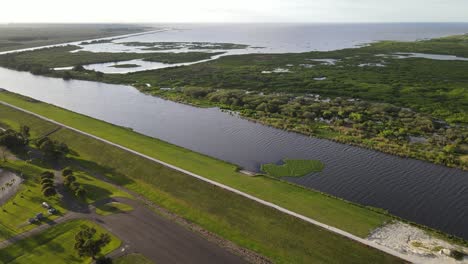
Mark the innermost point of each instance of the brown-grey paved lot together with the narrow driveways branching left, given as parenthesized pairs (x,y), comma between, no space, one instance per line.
(142,230)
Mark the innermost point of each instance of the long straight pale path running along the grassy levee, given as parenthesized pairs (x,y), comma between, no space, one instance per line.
(266,203)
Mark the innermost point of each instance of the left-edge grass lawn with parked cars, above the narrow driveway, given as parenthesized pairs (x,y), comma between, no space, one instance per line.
(27,202)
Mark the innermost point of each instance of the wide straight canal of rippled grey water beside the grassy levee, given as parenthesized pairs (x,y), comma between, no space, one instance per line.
(419,191)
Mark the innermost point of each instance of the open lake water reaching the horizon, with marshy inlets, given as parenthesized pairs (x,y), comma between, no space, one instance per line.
(269,38)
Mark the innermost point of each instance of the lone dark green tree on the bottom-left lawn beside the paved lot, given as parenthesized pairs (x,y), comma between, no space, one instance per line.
(88,243)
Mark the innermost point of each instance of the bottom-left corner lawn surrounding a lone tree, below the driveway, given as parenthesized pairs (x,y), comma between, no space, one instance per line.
(54,245)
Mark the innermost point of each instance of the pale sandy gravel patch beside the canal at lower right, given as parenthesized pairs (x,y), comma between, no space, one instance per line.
(416,243)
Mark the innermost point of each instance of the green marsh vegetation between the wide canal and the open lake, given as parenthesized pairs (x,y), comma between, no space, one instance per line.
(411,107)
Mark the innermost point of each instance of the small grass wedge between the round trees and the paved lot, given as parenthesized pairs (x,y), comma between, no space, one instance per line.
(96,189)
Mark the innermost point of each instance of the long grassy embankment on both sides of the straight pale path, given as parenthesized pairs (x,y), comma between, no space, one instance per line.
(282,238)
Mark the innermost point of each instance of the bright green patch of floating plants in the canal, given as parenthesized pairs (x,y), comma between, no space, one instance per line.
(293,168)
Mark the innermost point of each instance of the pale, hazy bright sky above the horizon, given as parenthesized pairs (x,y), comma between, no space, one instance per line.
(148,11)
